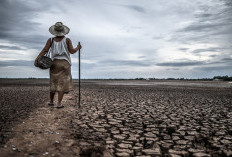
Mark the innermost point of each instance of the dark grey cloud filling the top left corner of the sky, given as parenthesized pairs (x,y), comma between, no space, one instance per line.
(16,25)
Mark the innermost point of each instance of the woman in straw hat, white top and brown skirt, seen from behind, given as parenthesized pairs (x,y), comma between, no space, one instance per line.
(60,49)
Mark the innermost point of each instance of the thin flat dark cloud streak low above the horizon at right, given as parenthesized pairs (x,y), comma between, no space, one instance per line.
(180,64)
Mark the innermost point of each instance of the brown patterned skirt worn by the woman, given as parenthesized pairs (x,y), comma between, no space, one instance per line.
(60,76)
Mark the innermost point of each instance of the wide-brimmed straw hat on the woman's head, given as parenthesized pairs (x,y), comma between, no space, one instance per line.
(59,29)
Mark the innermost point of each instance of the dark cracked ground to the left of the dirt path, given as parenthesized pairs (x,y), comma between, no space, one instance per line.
(16,102)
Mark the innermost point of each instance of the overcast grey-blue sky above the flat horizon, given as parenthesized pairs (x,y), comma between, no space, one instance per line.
(123,38)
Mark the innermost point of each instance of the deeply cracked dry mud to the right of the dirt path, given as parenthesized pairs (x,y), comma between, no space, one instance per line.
(157,120)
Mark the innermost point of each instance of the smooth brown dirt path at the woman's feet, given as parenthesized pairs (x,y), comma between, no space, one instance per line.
(45,132)
